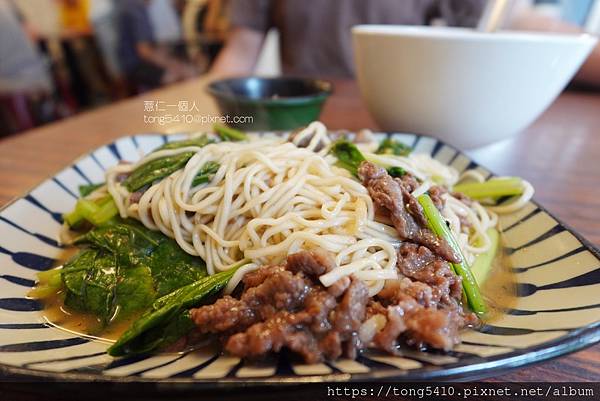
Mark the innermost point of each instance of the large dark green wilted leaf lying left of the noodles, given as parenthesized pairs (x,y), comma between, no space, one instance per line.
(124,268)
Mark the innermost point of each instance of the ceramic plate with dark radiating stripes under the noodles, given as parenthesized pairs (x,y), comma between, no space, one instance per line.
(557,309)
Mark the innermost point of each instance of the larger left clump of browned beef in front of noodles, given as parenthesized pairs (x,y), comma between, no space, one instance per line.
(286,306)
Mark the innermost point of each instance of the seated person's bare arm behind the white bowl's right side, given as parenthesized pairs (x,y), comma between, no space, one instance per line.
(589,73)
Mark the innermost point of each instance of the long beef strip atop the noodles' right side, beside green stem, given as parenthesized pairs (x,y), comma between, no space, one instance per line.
(404,210)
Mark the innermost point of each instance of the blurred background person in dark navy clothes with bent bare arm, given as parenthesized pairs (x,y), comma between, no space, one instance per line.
(145,63)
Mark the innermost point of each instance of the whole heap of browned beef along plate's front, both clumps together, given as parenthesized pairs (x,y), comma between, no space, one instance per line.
(287,307)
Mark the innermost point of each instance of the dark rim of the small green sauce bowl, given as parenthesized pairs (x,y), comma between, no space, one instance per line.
(324,89)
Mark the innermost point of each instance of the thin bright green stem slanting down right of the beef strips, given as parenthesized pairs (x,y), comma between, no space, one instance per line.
(440,228)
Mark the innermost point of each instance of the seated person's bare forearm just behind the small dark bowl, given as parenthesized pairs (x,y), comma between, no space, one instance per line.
(240,54)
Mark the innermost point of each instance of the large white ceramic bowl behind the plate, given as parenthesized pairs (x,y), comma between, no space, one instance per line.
(465,87)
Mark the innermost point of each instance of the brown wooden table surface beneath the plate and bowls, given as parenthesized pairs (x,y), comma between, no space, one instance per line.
(559,154)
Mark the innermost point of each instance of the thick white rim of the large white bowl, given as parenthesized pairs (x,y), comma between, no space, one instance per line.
(470,34)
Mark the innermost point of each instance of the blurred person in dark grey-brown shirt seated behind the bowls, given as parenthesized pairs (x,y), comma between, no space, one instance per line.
(316,35)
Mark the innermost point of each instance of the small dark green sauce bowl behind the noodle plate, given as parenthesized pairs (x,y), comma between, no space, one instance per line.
(275,104)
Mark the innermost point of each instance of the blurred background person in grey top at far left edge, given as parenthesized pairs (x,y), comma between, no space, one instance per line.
(25,83)
